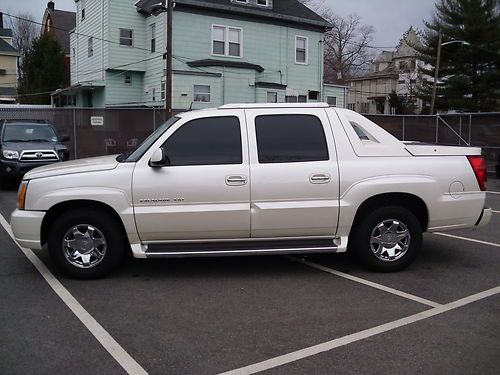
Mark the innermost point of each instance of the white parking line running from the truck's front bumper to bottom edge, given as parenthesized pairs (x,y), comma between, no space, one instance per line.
(106,340)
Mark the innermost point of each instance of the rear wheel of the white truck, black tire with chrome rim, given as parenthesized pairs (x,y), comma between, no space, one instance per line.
(405,223)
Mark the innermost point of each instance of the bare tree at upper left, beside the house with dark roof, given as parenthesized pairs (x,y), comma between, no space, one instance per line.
(24,31)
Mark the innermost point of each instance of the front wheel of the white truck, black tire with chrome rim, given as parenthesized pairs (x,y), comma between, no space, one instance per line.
(89,221)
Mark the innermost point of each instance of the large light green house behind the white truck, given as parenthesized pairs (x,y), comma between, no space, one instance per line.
(224,51)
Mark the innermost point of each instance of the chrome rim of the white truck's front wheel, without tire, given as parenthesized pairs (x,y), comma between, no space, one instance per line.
(84,246)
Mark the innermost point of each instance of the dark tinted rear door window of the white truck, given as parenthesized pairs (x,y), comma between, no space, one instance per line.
(290,139)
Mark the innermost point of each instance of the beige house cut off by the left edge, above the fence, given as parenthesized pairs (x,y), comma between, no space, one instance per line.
(8,66)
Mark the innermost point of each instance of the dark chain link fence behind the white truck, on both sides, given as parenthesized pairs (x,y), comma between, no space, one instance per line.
(96,132)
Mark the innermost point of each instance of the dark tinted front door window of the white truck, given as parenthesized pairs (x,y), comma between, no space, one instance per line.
(206,141)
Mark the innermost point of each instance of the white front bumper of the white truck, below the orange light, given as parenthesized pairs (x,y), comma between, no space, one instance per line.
(26,226)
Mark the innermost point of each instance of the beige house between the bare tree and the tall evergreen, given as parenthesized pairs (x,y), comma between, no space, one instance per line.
(391,72)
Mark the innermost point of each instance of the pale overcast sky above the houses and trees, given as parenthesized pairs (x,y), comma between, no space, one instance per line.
(390,18)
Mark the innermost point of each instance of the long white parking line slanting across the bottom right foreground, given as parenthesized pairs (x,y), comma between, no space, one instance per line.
(329,345)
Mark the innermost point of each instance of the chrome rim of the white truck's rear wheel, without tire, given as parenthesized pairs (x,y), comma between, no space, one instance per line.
(390,240)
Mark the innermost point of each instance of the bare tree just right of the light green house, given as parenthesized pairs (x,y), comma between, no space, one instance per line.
(347,46)
